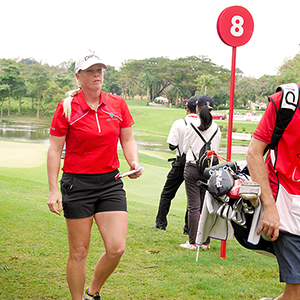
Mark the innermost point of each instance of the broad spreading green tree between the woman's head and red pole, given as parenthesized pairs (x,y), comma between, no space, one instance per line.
(162,76)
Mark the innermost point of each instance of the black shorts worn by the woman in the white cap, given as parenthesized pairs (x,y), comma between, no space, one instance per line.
(84,195)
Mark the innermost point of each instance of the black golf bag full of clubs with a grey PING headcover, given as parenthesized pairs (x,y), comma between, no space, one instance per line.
(238,198)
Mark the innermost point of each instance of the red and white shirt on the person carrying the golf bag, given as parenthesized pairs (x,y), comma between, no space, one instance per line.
(284,170)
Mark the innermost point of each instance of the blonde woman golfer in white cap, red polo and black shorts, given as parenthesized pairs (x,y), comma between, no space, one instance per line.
(89,122)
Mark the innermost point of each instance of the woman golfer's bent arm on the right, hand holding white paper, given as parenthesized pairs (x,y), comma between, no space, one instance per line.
(130,150)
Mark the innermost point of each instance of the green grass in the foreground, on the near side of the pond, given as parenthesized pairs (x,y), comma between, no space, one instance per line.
(34,246)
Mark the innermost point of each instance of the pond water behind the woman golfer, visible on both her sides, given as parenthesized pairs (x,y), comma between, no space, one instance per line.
(38,132)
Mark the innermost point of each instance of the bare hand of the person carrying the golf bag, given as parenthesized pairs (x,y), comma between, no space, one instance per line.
(269,223)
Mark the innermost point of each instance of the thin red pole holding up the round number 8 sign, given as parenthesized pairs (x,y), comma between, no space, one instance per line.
(230,122)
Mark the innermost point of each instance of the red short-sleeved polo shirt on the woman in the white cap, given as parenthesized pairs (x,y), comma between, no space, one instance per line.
(92,136)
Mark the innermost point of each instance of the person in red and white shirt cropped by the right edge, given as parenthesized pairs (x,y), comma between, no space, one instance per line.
(279,179)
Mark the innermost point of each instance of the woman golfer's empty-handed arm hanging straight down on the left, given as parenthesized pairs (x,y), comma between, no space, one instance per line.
(53,167)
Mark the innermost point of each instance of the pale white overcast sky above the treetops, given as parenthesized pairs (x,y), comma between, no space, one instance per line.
(56,31)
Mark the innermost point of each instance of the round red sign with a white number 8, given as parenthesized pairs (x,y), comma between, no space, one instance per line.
(235,26)
